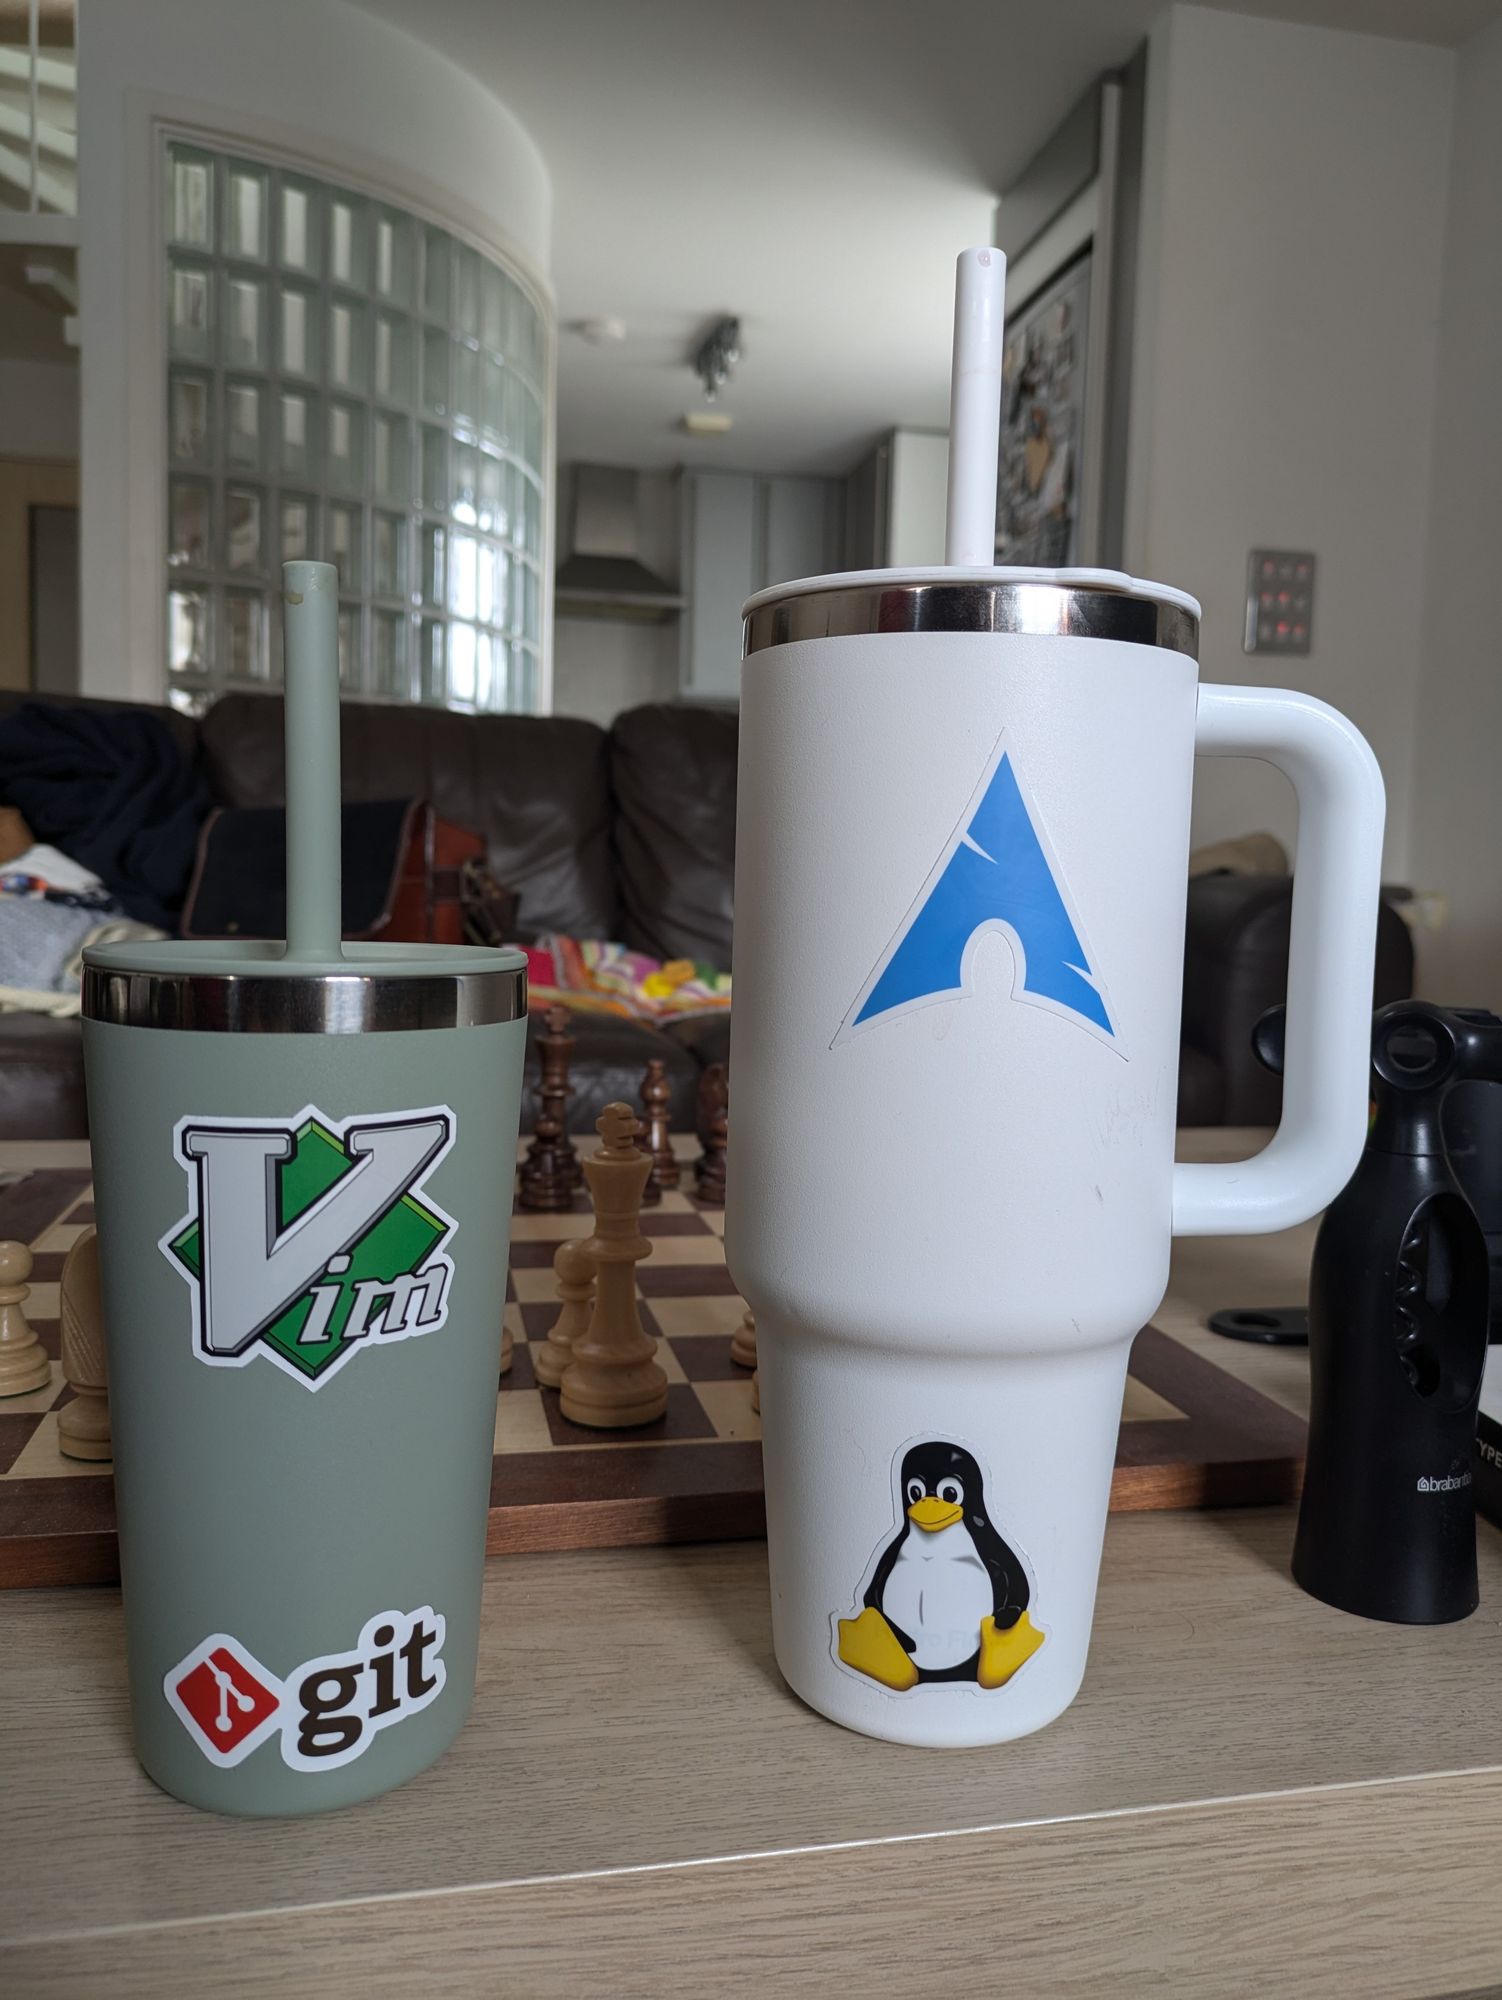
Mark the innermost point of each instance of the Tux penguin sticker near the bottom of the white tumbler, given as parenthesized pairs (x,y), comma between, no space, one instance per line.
(947,1599)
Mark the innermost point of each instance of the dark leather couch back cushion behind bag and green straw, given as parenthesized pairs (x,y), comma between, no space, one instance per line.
(533,787)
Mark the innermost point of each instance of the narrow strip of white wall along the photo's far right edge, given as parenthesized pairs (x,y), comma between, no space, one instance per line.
(1459,729)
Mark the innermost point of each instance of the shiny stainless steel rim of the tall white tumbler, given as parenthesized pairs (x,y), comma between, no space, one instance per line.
(1055,611)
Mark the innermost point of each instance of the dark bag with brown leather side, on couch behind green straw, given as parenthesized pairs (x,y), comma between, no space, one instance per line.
(409,877)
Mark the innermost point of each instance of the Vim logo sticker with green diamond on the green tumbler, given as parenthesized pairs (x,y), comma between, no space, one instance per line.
(311,1239)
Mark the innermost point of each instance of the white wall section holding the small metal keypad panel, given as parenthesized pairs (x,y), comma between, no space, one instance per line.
(1295,189)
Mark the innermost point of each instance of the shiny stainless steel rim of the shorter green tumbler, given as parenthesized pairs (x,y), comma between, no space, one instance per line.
(315,1003)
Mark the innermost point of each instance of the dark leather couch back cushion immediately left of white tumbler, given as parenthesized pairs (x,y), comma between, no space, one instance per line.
(673,773)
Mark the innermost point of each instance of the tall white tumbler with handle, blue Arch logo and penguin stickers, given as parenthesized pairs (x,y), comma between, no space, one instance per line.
(961,881)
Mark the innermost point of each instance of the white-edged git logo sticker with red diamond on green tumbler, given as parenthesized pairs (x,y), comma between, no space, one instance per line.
(329,1711)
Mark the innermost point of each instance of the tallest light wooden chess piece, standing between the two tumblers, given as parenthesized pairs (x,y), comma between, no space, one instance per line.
(611,1379)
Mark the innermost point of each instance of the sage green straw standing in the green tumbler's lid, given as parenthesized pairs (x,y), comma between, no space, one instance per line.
(313,763)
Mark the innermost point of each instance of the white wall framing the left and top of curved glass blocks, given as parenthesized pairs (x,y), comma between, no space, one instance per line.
(313,77)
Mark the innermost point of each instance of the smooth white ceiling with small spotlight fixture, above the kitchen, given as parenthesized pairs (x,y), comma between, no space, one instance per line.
(807,165)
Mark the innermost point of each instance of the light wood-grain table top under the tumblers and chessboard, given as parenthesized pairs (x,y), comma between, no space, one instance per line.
(1251,1795)
